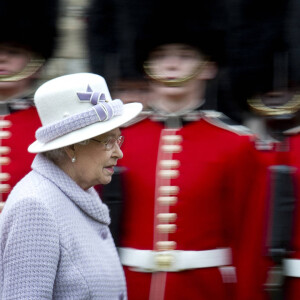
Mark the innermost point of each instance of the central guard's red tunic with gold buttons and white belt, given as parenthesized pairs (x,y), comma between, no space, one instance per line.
(187,197)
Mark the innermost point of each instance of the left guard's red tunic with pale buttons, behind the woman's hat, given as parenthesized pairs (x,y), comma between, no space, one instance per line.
(17,132)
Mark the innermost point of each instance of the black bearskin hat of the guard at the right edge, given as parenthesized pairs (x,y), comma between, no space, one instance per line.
(264,48)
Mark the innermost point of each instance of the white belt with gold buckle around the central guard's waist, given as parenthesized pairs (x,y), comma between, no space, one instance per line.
(175,260)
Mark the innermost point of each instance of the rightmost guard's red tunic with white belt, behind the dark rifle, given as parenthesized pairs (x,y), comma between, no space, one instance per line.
(278,153)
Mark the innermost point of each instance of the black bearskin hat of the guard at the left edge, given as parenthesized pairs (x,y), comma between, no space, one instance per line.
(29,24)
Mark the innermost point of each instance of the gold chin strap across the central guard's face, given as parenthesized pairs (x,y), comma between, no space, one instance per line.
(173,82)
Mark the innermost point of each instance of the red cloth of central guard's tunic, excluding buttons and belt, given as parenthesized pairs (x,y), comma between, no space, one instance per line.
(217,174)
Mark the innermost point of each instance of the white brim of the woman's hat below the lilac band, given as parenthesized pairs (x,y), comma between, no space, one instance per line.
(131,110)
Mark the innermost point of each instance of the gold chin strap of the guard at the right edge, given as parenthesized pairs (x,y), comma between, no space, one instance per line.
(291,107)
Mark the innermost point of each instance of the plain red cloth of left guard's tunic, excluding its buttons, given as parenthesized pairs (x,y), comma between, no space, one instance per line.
(23,126)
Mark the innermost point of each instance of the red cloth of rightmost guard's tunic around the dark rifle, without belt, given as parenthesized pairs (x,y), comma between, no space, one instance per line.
(264,206)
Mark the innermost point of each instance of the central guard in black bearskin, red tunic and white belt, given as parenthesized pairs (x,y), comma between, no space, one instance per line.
(189,176)
